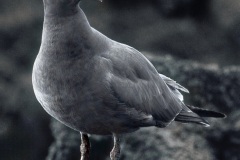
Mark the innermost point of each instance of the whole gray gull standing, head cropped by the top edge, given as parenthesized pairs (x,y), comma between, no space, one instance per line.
(98,86)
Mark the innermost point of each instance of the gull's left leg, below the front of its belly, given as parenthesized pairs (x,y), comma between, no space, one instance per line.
(85,147)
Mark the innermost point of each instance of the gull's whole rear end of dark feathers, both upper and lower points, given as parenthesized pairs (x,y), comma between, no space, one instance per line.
(190,114)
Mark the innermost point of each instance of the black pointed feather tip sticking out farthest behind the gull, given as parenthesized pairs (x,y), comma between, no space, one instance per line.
(206,113)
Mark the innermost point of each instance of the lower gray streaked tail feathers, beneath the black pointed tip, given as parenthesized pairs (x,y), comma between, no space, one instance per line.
(190,117)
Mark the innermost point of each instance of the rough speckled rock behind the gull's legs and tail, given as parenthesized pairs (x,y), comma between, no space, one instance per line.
(210,86)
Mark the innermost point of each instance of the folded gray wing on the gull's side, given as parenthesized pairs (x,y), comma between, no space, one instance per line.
(135,82)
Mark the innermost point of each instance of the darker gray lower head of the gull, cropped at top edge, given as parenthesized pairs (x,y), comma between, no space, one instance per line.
(60,7)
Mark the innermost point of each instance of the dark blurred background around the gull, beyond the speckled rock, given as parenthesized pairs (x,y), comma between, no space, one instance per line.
(206,31)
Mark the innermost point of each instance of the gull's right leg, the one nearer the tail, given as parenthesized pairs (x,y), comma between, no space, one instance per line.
(115,153)
